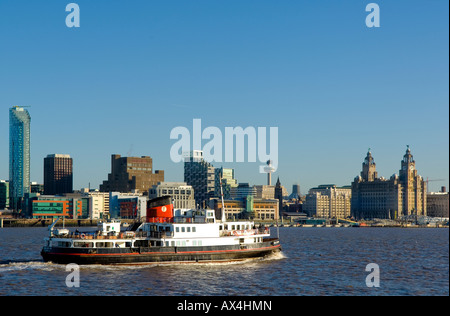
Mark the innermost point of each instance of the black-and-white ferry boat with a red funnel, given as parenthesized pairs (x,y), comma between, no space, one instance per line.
(167,235)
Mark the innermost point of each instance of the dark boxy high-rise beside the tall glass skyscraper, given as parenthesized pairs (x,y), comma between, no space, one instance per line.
(58,174)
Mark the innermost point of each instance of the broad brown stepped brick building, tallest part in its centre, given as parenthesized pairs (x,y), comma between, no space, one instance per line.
(131,173)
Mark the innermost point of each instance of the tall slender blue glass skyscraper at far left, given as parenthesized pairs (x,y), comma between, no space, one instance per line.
(19,154)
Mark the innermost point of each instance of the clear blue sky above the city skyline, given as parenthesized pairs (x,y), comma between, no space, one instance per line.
(136,69)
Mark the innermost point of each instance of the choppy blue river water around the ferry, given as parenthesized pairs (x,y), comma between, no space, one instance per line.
(314,261)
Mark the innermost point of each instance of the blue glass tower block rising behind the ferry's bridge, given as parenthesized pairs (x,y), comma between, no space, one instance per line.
(200,175)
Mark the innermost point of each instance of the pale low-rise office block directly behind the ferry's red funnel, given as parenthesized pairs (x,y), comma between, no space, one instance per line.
(181,193)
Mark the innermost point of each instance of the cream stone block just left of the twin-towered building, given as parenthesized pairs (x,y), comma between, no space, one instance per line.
(328,201)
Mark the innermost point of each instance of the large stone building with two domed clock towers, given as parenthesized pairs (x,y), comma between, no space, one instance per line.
(403,194)
